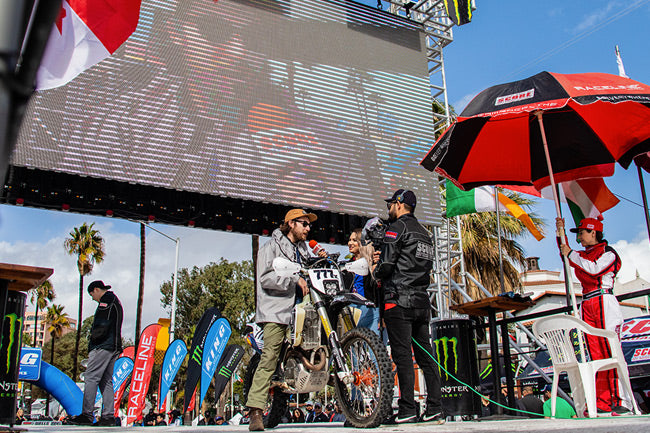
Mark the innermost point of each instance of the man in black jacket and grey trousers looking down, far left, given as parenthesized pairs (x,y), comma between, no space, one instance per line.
(104,348)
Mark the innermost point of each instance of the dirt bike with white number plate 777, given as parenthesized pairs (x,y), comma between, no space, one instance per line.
(312,357)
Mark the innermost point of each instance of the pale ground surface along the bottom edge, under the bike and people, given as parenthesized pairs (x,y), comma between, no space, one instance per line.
(627,424)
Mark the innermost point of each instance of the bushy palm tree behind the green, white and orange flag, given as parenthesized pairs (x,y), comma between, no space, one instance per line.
(481,248)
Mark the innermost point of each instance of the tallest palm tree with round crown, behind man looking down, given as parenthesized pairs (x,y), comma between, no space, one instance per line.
(86,243)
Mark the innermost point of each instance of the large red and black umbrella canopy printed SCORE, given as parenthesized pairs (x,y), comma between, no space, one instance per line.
(590,120)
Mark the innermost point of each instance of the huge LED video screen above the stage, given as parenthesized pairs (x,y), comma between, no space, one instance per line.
(314,103)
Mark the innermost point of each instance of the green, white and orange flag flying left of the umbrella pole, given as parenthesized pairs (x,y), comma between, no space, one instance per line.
(481,199)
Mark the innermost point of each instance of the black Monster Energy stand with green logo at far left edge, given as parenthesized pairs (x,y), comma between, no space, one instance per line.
(10,344)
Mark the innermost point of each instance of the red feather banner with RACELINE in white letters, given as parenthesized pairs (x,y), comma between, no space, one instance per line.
(144,360)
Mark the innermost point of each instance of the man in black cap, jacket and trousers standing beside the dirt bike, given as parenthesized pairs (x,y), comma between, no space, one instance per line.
(404,269)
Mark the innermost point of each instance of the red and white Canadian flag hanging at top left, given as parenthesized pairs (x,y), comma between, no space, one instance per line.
(84,34)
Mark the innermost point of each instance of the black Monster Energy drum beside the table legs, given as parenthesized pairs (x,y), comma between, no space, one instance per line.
(454,344)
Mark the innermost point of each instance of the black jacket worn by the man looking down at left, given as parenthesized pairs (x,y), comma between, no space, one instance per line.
(106,332)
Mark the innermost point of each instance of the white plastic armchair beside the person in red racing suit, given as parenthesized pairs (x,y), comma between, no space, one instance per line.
(556,332)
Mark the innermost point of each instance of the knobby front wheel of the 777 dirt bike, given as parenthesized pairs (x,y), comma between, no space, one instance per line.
(366,401)
